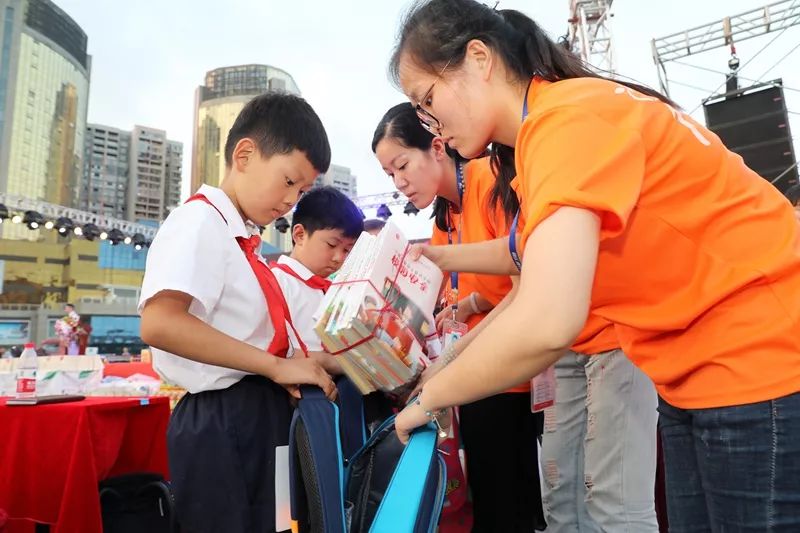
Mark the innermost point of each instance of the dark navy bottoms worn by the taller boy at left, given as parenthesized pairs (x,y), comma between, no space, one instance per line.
(222,456)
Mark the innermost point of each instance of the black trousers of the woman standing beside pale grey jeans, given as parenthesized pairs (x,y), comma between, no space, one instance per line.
(500,440)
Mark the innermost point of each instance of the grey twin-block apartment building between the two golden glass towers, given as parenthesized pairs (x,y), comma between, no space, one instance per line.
(134,175)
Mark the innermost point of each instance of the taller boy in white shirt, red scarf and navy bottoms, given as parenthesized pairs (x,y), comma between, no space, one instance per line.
(209,307)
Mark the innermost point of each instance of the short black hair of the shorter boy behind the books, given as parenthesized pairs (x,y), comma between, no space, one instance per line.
(328,208)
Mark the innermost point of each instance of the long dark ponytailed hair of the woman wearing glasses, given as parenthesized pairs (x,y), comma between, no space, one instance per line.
(436,33)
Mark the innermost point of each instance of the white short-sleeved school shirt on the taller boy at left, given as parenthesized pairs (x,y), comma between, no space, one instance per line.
(195,252)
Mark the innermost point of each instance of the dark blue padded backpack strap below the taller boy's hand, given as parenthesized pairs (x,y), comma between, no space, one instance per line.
(318,419)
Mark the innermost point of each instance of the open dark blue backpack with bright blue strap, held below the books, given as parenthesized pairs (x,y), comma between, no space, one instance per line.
(380,487)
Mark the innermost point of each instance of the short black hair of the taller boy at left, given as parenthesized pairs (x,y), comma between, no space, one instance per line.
(280,122)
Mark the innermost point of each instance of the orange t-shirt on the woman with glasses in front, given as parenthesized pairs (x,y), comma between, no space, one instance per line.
(699,259)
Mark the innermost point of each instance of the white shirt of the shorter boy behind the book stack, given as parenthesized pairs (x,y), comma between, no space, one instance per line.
(303,301)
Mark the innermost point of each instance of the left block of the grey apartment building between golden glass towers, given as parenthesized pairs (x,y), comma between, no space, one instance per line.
(104,188)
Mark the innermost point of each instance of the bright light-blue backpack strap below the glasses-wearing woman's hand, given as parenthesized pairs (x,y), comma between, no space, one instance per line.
(404,496)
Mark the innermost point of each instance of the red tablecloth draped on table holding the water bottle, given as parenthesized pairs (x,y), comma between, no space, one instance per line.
(53,456)
